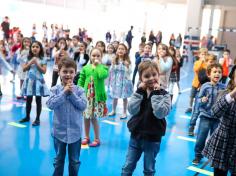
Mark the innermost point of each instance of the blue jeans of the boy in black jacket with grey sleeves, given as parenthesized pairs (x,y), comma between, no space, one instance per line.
(135,150)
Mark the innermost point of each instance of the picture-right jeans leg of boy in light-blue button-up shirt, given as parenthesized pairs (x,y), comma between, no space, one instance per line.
(74,154)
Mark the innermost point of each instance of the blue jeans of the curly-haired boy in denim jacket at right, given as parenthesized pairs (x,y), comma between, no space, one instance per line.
(205,125)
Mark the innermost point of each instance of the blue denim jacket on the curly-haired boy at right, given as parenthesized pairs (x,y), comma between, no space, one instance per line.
(210,91)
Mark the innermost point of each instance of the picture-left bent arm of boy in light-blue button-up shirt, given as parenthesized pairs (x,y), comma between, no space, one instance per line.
(56,98)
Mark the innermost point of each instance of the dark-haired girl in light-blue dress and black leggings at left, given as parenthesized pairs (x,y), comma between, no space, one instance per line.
(34,84)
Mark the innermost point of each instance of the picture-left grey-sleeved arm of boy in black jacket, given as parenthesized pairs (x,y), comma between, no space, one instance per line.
(135,101)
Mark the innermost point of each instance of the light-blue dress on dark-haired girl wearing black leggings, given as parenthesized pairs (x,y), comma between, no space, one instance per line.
(34,83)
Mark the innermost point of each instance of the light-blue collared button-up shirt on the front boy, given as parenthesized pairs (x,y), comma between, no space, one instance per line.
(68,109)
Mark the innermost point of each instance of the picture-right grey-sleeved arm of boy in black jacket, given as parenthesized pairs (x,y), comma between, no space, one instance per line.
(161,103)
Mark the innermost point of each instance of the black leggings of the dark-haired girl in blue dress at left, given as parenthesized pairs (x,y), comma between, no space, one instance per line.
(29,100)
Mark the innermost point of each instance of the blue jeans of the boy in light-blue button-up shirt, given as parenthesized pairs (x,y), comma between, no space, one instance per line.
(73,152)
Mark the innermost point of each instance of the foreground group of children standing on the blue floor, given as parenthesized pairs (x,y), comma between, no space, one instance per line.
(82,94)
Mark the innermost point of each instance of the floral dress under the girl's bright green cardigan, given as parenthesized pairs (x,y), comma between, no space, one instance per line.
(94,109)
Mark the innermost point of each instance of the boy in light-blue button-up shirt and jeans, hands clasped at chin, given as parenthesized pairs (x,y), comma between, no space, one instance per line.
(68,102)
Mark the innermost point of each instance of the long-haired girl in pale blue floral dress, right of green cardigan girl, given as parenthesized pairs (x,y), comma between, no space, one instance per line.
(121,84)
